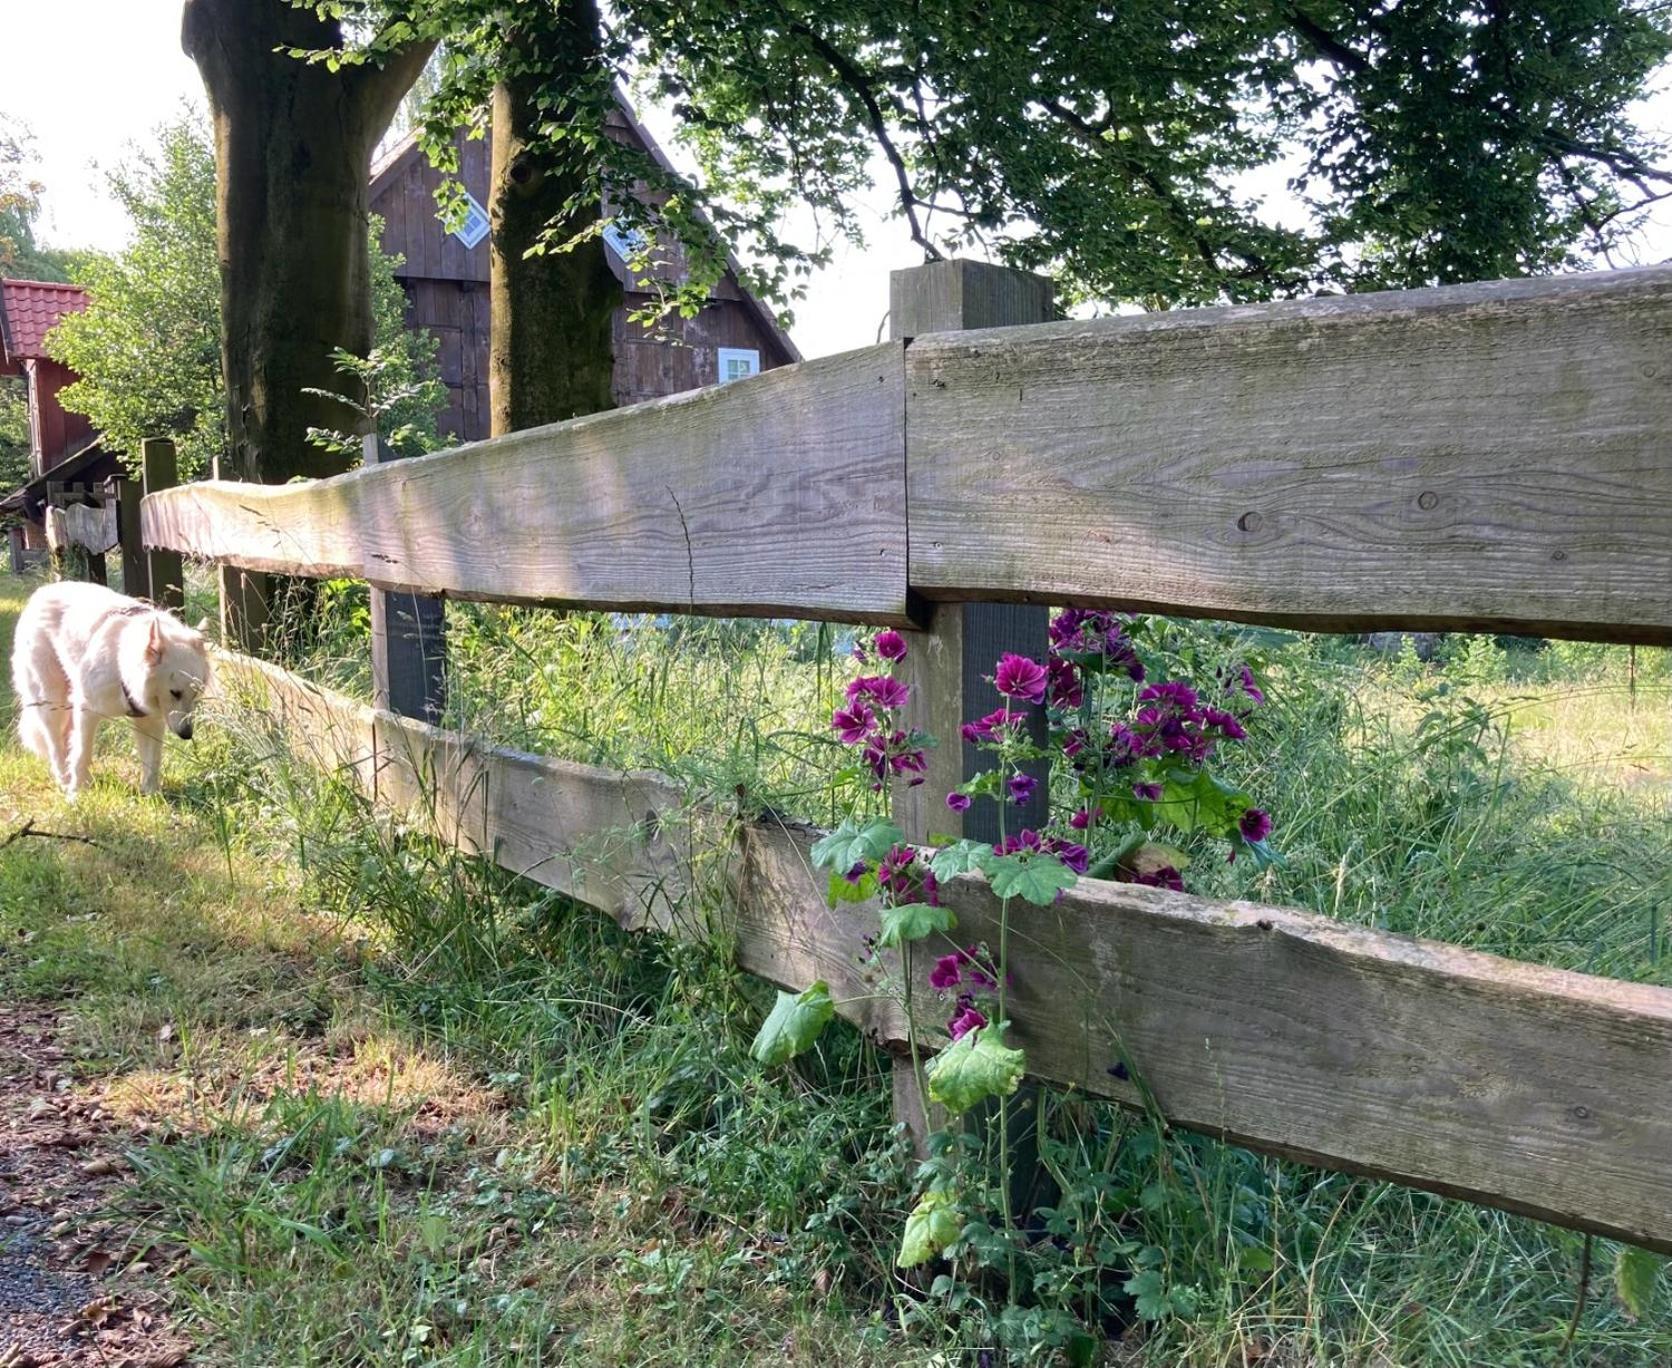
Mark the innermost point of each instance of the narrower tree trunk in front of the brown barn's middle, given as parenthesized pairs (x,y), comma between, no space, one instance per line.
(551,349)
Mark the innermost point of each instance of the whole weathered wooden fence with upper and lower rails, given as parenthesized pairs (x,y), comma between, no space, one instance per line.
(1494,457)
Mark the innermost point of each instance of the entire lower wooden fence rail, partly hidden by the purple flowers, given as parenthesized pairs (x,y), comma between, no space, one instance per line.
(1529,1090)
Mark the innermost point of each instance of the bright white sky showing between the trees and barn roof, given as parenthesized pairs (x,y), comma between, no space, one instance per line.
(130,76)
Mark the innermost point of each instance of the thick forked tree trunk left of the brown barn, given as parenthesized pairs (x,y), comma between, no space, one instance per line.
(293,153)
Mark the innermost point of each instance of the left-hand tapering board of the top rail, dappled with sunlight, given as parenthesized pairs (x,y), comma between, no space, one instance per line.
(777,496)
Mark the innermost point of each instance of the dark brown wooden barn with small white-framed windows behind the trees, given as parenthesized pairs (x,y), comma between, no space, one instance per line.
(447,287)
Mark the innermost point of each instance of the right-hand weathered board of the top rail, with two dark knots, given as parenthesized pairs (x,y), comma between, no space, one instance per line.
(1492,457)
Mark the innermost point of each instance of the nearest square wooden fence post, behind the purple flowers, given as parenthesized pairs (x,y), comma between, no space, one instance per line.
(949,665)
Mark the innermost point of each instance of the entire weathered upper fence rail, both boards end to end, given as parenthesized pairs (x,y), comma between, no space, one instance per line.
(1491,457)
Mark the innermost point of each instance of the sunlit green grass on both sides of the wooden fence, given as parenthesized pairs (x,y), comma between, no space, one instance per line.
(405,1110)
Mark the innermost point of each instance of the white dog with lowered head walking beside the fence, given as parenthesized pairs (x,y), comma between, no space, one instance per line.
(83,655)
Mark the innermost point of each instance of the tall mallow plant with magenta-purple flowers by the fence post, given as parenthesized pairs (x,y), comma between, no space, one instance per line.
(1133,768)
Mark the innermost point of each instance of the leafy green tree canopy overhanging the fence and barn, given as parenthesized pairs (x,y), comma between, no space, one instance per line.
(1113,148)
